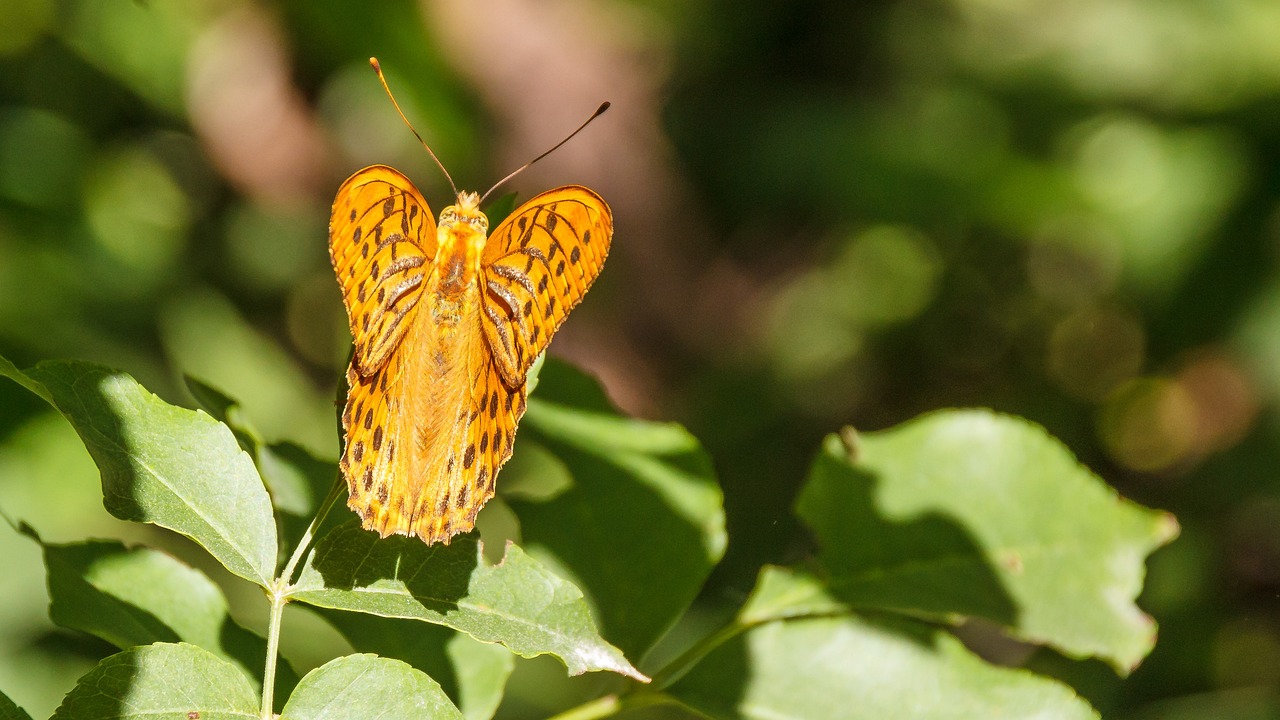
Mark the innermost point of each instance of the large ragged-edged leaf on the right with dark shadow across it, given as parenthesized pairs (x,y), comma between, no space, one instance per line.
(979,514)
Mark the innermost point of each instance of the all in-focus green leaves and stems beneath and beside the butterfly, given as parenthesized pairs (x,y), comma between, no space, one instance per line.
(954,520)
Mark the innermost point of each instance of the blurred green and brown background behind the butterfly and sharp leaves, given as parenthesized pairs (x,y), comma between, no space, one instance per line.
(828,213)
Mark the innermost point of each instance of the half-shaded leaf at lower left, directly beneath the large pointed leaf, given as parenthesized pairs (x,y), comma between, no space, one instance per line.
(141,596)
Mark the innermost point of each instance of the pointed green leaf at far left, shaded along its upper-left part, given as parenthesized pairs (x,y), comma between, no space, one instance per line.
(162,464)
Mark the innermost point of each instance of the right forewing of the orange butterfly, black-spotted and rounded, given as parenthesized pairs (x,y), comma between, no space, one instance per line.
(537,267)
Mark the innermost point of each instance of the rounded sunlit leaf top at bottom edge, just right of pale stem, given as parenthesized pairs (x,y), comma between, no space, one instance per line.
(368,687)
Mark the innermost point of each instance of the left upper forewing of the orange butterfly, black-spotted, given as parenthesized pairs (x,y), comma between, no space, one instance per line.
(382,241)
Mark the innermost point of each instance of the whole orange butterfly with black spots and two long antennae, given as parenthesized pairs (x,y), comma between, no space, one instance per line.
(447,322)
